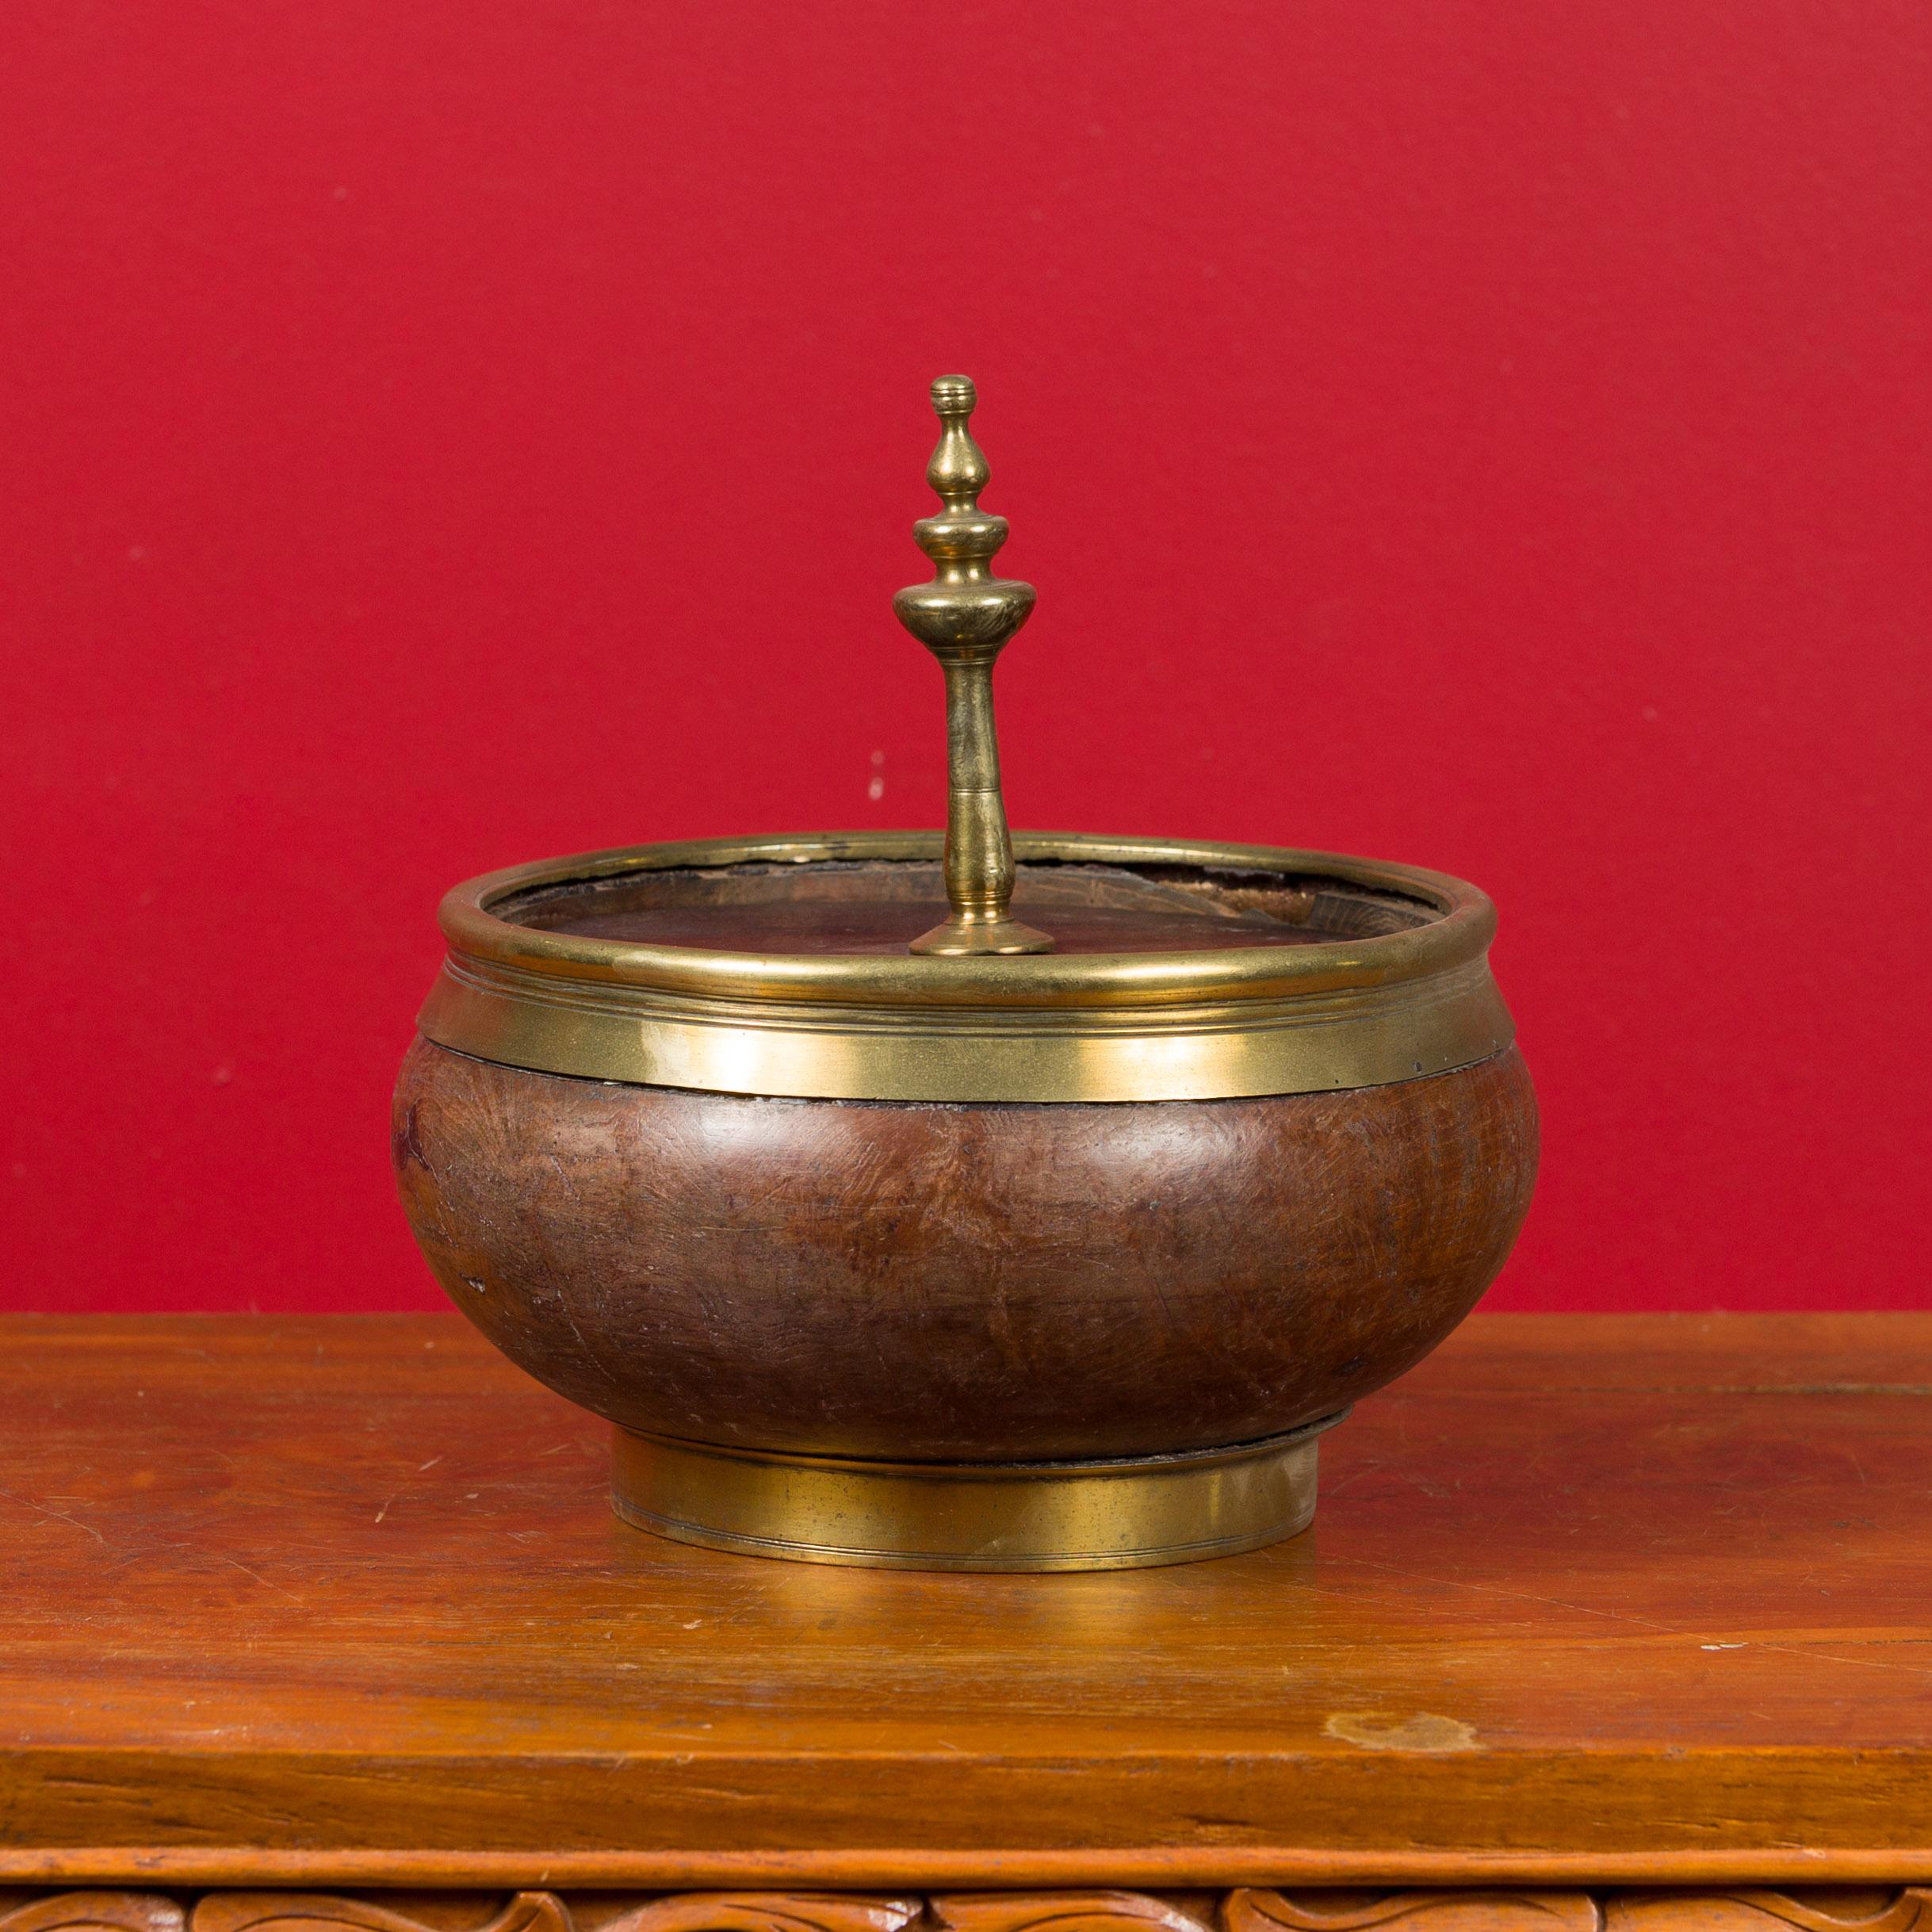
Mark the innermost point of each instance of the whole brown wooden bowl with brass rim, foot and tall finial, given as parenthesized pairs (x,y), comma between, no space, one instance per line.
(973,1203)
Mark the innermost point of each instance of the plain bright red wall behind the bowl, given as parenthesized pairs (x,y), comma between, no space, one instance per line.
(451,434)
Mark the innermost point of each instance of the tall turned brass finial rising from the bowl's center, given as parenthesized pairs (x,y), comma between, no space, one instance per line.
(965,619)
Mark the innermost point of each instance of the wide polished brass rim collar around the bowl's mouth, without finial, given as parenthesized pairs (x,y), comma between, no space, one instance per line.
(1203,1025)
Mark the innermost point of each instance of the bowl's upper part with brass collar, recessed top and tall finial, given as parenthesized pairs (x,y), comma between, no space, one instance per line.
(892,967)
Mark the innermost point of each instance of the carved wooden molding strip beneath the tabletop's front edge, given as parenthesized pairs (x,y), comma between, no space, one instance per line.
(1247,1910)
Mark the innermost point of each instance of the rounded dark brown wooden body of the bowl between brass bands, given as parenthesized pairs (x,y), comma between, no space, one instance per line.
(961,1284)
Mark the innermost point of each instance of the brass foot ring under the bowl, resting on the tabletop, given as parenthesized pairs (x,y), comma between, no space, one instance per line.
(1120,1514)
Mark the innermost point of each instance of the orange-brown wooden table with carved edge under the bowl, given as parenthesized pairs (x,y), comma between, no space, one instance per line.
(1603,1622)
